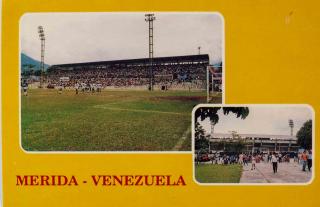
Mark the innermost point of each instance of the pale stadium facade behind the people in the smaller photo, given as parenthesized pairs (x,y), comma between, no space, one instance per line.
(255,142)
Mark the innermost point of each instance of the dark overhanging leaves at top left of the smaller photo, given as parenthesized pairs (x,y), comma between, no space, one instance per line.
(212,113)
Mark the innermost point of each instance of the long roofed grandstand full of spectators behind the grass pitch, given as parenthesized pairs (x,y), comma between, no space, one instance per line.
(177,72)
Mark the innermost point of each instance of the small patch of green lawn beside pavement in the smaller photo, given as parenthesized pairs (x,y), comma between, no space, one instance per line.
(207,173)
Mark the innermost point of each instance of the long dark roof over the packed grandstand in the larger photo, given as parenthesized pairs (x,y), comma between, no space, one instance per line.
(157,60)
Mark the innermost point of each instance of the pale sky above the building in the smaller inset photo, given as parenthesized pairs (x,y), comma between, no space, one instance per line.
(262,120)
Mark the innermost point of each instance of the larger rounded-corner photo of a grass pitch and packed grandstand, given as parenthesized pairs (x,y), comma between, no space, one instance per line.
(117,81)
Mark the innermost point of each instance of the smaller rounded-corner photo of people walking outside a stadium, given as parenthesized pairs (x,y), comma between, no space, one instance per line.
(254,144)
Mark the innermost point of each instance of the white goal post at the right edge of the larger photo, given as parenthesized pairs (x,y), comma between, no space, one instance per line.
(214,81)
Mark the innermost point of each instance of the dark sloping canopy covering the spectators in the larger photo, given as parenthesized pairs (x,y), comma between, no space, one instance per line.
(188,59)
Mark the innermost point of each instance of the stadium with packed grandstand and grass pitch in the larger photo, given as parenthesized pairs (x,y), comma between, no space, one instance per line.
(125,104)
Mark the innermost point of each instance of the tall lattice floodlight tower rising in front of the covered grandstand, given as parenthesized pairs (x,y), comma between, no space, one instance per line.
(150,18)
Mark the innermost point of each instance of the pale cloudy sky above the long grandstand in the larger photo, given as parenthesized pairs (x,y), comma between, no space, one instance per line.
(82,37)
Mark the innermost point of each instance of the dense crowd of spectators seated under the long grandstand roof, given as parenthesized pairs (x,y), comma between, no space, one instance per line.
(171,76)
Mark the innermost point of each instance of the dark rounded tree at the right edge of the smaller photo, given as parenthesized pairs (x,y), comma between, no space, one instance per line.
(304,135)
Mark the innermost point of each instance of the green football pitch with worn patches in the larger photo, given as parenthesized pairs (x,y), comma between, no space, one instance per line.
(108,120)
